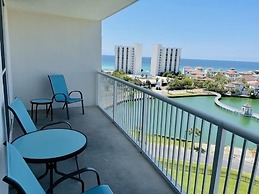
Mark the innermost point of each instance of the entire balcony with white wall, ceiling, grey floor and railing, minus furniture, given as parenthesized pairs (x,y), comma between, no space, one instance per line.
(172,147)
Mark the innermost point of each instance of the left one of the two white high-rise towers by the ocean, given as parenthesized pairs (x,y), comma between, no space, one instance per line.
(128,58)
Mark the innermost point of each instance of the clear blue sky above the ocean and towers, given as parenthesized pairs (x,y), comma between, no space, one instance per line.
(203,29)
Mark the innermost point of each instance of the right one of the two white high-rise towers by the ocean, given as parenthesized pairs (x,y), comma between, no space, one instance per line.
(164,60)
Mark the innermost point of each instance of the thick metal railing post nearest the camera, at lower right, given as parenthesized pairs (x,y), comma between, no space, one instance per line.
(217,161)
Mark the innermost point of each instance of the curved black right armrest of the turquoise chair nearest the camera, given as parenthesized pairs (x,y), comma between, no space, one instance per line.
(73,174)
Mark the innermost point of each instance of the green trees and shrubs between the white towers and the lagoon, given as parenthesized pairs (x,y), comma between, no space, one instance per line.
(176,82)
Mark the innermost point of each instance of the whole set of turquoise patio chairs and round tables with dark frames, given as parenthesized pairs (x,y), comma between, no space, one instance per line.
(48,145)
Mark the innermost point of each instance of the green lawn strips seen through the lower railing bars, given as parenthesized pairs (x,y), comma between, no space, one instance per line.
(171,168)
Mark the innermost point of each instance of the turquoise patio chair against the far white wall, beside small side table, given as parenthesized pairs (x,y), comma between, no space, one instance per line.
(61,94)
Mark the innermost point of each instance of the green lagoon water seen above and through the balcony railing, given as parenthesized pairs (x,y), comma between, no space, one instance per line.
(162,124)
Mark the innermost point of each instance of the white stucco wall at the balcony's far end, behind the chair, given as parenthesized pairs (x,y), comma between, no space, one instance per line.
(43,44)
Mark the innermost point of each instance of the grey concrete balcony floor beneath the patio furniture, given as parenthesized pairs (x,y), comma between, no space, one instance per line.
(119,163)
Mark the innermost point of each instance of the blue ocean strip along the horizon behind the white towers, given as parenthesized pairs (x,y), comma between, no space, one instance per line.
(241,66)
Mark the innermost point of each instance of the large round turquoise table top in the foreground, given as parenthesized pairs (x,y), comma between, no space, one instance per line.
(50,145)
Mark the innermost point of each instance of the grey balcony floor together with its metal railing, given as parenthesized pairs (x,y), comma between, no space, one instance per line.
(142,142)
